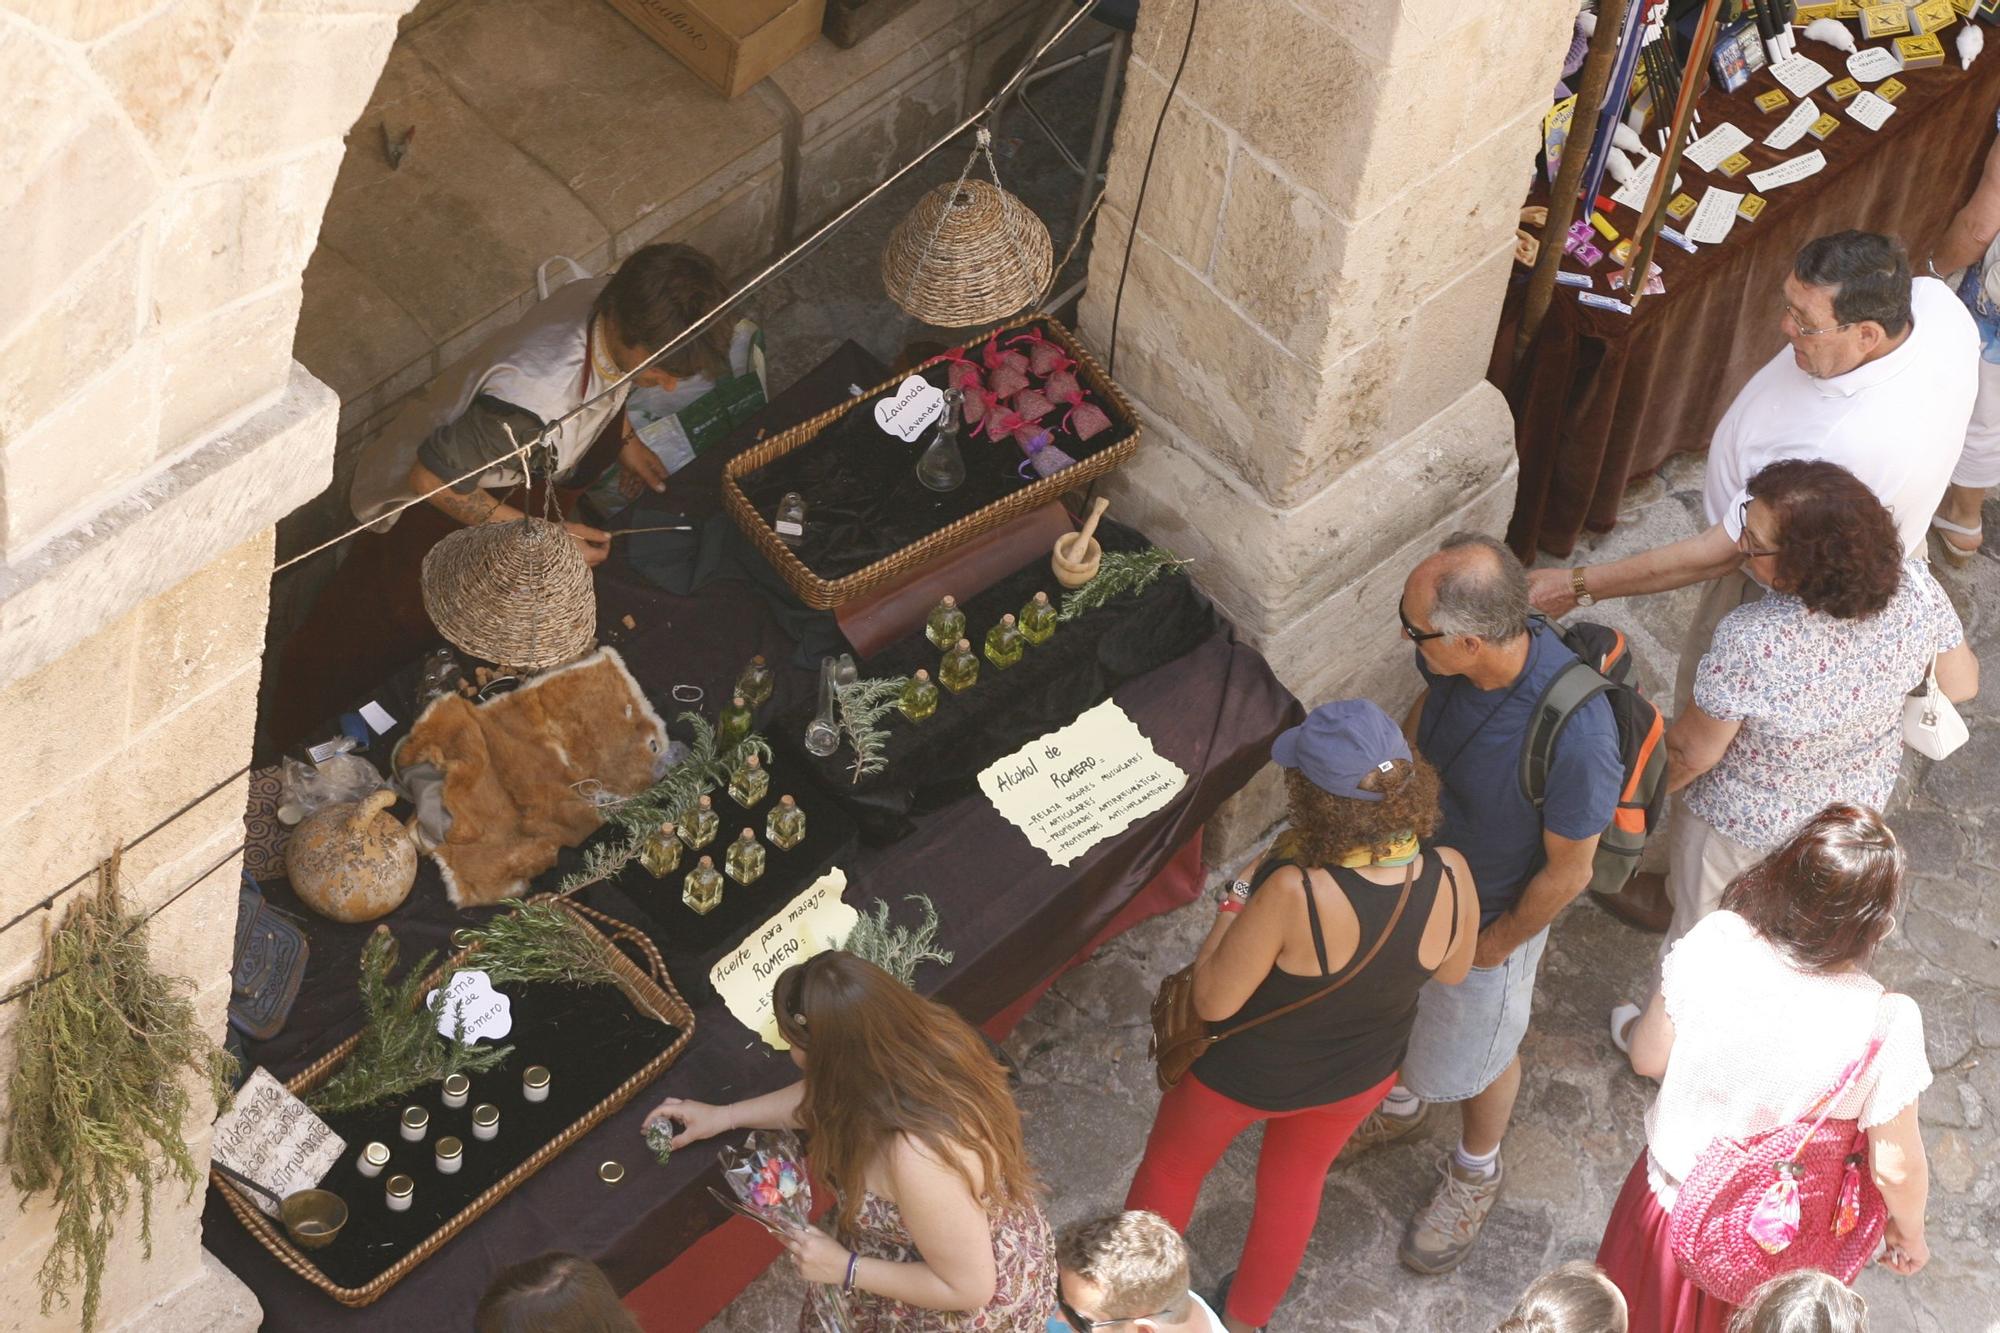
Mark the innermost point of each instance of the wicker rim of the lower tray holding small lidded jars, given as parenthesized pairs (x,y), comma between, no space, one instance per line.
(653,996)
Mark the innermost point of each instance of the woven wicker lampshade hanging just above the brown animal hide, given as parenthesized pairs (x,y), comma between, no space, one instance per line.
(513,593)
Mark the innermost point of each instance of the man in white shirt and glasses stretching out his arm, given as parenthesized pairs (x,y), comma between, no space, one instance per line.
(1879,375)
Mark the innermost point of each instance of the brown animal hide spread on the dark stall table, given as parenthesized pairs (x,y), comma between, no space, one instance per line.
(515,770)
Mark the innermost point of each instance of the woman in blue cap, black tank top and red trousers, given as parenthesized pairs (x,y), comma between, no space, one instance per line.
(1349,894)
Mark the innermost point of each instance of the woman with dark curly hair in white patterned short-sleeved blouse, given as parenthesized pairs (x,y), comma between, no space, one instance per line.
(1799,700)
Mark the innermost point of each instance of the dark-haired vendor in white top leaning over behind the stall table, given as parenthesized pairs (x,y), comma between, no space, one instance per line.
(553,361)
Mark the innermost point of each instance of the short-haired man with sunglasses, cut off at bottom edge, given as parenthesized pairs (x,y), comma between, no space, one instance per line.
(1127,1272)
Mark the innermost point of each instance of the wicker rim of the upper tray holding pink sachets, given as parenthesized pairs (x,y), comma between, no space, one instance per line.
(829,593)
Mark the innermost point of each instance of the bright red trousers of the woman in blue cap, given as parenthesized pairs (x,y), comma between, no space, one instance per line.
(1191,1132)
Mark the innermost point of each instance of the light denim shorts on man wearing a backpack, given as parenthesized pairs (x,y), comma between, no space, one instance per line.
(1467,1036)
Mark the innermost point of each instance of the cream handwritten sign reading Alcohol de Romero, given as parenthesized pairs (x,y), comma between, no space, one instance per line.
(1083,784)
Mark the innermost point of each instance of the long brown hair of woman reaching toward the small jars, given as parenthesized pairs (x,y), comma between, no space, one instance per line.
(885,1062)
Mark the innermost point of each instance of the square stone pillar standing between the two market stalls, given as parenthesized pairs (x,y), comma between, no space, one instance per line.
(1311,303)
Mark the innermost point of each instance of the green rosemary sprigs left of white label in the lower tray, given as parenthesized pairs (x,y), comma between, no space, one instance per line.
(401,1048)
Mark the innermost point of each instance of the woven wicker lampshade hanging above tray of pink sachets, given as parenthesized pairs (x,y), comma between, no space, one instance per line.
(967,255)
